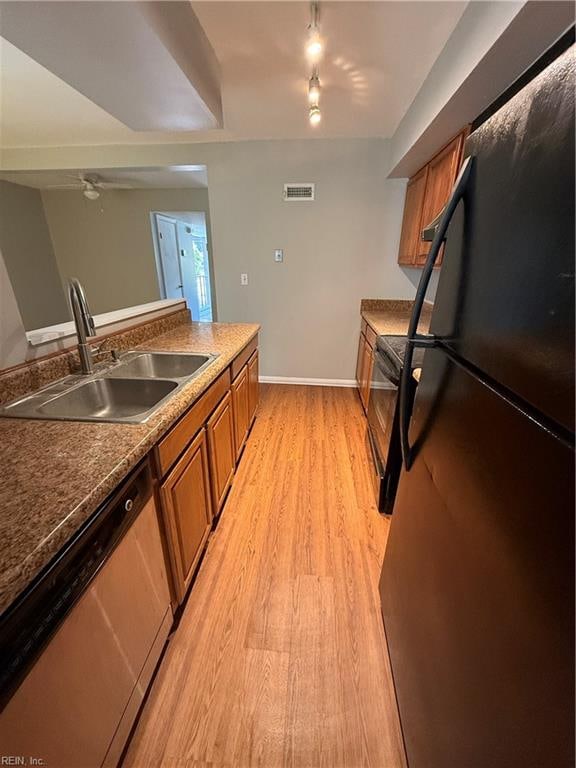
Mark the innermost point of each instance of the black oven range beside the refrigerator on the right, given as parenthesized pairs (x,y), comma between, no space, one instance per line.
(383,417)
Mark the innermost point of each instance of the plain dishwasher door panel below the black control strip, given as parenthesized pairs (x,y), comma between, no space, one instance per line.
(69,707)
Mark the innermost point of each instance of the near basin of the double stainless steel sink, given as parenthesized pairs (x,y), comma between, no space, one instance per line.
(108,399)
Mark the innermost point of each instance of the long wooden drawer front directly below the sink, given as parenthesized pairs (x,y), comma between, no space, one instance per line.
(171,446)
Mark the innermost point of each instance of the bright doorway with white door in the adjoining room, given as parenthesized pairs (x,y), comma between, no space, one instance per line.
(182,260)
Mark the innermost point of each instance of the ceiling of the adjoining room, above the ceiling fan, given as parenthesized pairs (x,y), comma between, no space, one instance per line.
(171,177)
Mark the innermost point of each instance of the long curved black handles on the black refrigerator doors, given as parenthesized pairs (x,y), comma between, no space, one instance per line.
(425,340)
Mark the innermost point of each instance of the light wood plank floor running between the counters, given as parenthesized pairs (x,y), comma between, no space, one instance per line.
(280,656)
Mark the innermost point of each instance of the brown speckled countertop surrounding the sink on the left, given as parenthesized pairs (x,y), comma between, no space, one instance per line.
(55,474)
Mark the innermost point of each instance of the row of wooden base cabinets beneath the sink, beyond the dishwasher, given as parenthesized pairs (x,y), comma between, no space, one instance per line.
(196,460)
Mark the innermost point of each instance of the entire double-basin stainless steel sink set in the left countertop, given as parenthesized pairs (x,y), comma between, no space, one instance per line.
(128,392)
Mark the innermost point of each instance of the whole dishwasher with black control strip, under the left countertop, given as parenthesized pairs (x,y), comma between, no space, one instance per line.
(80,646)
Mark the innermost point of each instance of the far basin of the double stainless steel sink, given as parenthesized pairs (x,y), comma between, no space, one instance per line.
(159,365)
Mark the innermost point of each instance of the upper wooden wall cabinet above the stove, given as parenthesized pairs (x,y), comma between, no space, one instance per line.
(426,194)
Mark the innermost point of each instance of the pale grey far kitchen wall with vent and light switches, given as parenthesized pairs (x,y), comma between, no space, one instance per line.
(339,249)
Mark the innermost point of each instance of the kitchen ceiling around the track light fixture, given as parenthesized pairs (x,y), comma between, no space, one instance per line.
(377,56)
